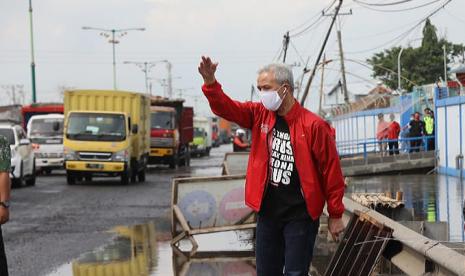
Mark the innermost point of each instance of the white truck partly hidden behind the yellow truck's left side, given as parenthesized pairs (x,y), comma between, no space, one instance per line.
(46,135)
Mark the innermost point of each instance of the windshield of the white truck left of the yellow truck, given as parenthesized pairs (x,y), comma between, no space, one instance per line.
(46,131)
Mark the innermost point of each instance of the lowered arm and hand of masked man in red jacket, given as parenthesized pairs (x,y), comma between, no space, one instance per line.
(324,147)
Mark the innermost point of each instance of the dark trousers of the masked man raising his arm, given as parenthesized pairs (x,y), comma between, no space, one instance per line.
(284,247)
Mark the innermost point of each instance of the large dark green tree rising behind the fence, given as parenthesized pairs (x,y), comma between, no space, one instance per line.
(421,65)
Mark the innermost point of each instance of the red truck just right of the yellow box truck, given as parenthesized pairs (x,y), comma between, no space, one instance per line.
(171,132)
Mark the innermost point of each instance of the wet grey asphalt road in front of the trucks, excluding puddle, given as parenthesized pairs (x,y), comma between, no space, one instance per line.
(53,223)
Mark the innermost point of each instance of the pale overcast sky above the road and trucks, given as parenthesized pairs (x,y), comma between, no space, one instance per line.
(241,35)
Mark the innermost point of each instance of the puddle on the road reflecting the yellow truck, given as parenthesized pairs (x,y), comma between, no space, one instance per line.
(137,251)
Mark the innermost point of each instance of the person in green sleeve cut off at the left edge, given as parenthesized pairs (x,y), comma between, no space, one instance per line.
(5,164)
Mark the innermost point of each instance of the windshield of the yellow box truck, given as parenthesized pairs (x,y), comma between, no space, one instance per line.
(96,127)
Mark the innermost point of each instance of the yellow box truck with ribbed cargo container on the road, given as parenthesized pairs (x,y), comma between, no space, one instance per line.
(106,133)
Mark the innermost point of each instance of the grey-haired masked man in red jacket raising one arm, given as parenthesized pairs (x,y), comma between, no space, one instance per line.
(293,169)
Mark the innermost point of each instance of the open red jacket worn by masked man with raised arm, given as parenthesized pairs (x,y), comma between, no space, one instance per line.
(315,154)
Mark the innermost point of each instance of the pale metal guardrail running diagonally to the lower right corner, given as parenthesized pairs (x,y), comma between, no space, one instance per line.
(417,255)
